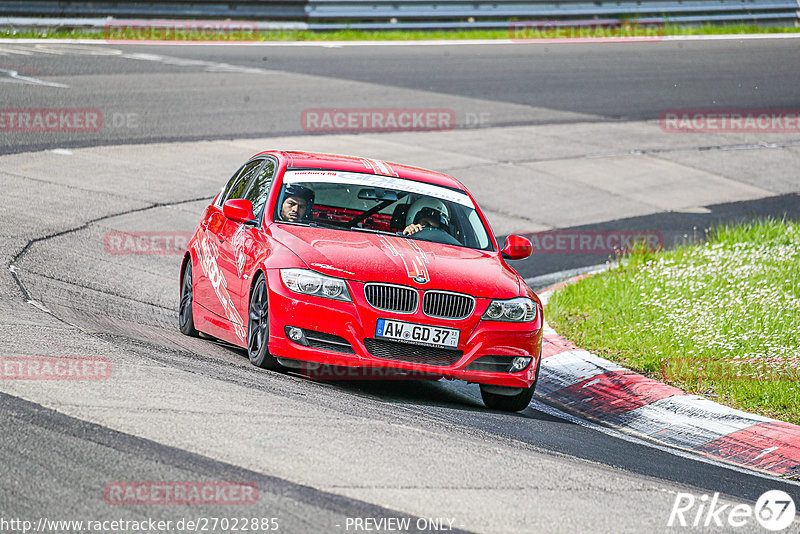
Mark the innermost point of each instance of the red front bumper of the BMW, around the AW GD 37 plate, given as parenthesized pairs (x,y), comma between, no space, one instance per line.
(355,323)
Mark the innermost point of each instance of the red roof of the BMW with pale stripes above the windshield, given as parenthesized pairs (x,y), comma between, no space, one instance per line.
(312,160)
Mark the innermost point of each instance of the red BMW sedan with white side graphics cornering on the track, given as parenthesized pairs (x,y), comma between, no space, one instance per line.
(308,259)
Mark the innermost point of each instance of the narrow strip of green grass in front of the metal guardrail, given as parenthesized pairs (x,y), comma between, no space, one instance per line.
(410,35)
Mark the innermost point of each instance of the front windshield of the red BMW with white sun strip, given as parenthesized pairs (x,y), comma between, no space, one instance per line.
(359,202)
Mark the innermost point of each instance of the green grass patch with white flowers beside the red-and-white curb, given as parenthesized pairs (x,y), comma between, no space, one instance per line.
(721,319)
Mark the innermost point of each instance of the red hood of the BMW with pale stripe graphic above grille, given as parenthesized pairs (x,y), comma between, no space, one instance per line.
(368,257)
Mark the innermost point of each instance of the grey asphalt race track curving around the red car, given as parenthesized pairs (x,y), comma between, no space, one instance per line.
(548,137)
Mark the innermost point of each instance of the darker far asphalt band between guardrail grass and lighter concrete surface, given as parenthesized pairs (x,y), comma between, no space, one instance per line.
(173,97)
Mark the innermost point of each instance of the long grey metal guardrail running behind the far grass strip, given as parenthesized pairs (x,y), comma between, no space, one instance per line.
(422,14)
